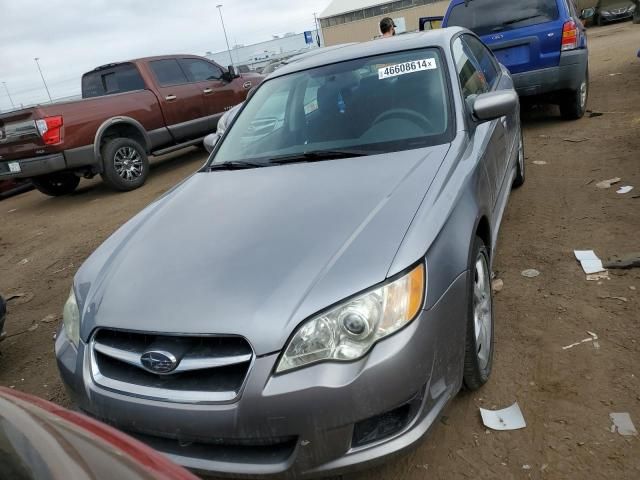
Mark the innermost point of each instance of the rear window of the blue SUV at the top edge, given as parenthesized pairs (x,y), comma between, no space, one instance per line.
(484,17)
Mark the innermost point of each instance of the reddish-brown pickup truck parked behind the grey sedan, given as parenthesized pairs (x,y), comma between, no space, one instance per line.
(129,110)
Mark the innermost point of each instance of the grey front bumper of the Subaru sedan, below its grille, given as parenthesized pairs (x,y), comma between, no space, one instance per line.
(309,414)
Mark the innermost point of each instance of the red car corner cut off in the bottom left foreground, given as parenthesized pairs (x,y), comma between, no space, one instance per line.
(40,440)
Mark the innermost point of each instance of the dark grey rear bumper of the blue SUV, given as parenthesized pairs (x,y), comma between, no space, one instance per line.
(568,75)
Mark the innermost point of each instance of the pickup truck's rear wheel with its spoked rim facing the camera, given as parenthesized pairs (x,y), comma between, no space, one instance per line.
(125,164)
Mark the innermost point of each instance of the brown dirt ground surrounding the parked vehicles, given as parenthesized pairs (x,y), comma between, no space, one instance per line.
(566,395)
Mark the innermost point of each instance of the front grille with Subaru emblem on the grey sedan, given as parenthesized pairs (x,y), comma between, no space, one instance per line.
(194,369)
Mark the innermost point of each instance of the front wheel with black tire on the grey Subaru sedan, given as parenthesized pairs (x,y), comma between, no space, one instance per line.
(477,367)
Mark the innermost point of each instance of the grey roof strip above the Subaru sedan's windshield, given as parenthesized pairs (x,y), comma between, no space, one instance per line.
(433,38)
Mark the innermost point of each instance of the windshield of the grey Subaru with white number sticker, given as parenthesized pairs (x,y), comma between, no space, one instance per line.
(373,105)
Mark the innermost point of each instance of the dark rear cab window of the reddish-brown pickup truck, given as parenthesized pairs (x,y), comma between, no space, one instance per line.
(109,81)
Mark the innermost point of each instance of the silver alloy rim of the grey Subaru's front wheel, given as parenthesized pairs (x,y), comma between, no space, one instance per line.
(482,318)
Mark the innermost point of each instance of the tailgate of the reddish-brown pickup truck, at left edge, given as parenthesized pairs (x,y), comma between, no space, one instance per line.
(19,135)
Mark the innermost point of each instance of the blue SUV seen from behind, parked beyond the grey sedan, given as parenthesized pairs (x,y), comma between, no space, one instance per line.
(542,42)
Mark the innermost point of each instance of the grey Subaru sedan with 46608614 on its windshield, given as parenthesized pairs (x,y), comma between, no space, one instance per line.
(314,296)
